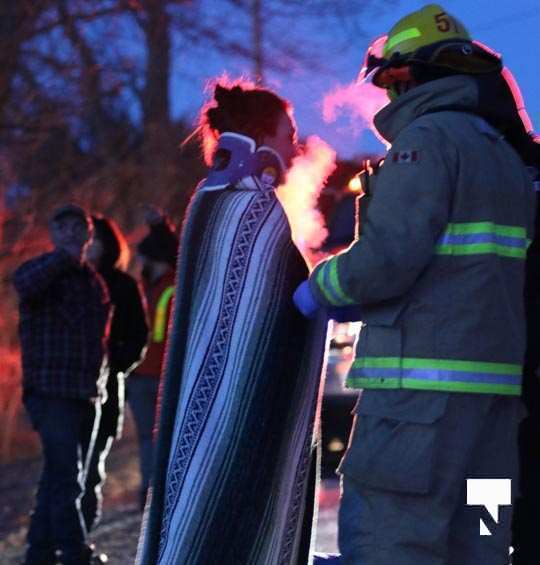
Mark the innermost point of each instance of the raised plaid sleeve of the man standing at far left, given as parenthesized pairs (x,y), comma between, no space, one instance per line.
(34,277)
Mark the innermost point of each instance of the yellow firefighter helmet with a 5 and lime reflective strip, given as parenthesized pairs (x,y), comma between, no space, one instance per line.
(423,45)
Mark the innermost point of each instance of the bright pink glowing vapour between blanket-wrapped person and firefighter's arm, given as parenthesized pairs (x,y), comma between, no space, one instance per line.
(300,193)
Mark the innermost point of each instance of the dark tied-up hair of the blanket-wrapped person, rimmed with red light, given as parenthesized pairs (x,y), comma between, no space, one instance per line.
(243,109)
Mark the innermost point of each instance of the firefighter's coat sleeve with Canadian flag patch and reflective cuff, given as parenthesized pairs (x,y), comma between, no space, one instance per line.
(409,210)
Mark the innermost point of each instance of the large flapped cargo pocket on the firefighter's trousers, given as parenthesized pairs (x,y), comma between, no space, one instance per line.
(393,444)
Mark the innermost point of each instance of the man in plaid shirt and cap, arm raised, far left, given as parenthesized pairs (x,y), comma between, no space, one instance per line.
(64,319)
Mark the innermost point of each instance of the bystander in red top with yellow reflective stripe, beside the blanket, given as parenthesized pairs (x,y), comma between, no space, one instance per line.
(157,254)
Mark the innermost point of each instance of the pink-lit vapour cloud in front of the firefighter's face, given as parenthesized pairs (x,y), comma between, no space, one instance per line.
(360,101)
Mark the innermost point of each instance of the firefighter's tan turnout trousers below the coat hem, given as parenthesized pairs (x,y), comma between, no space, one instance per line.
(404,478)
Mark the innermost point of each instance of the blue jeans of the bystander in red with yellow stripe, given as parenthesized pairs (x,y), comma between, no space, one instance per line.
(142,398)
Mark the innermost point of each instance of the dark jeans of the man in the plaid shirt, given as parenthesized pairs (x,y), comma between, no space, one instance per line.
(64,426)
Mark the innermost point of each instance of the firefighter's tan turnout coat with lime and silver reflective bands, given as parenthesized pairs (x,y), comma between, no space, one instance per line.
(439,268)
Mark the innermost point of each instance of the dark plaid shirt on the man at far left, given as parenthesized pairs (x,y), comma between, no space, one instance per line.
(64,319)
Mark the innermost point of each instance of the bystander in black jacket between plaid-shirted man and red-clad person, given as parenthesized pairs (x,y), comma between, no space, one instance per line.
(109,254)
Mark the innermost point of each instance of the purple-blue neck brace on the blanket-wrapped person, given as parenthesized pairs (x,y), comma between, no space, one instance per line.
(237,156)
